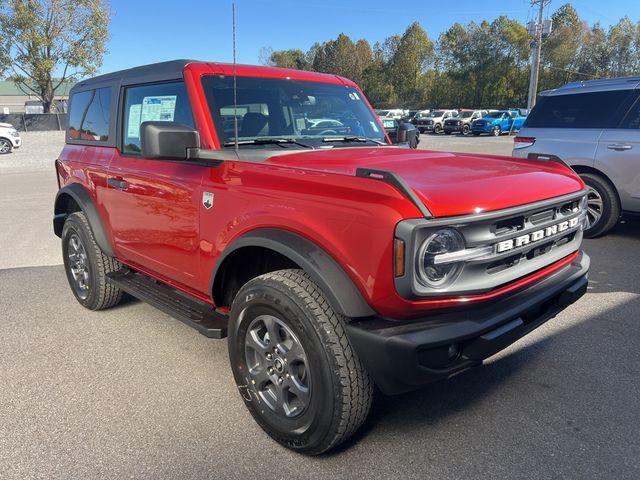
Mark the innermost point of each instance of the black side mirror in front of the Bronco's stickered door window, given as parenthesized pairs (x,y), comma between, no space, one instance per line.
(167,140)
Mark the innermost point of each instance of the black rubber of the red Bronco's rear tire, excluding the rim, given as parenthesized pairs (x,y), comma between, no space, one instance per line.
(101,293)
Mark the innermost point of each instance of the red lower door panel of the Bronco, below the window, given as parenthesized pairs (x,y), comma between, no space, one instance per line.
(154,210)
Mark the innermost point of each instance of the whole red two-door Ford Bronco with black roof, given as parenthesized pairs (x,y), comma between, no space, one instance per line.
(267,205)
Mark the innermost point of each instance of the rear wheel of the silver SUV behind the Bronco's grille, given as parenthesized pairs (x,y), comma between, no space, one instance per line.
(603,205)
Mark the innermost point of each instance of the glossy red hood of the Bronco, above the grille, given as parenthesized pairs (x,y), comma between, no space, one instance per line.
(449,183)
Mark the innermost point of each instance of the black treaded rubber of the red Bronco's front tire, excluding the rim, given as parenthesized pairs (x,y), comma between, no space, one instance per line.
(340,390)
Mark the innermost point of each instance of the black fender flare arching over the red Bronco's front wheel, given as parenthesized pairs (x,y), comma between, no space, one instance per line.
(341,292)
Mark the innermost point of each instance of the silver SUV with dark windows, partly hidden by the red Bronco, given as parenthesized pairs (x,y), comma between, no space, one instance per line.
(593,126)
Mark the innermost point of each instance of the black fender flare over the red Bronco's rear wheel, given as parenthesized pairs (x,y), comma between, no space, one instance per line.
(83,199)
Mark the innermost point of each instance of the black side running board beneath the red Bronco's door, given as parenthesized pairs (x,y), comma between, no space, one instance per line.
(191,311)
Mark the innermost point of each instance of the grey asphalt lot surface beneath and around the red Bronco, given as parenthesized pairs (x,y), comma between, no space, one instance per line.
(131,393)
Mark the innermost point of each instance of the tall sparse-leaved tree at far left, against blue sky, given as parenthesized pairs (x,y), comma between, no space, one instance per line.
(49,42)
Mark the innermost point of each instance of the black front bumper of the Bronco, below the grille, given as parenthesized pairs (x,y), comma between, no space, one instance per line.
(402,356)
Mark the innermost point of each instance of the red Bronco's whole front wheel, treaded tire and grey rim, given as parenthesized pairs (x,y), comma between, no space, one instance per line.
(293,363)
